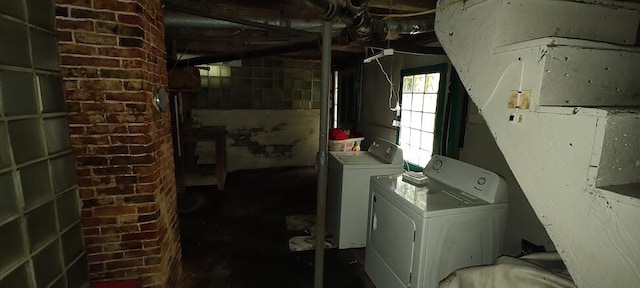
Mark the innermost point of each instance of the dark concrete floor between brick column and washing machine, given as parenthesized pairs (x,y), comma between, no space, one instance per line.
(238,238)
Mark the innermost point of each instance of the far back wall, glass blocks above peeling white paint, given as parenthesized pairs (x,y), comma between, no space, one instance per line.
(270,108)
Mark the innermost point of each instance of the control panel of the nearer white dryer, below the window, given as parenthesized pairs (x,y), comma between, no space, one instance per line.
(470,180)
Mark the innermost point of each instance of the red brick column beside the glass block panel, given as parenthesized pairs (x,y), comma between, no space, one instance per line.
(113,60)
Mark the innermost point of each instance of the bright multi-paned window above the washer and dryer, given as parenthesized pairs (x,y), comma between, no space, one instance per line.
(419,115)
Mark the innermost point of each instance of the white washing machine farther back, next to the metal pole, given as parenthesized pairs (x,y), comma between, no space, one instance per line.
(348,189)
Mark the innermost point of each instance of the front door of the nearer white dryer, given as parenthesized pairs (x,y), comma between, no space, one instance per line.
(392,240)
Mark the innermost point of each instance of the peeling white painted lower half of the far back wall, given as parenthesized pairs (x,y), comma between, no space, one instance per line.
(263,138)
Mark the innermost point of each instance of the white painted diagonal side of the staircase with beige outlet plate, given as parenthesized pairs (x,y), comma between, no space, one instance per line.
(550,153)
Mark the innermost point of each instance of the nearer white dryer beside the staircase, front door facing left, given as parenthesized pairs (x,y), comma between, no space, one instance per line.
(419,235)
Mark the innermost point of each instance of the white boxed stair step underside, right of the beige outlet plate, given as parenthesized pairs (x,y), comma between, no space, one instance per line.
(579,76)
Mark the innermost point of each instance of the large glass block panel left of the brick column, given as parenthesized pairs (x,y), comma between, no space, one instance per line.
(40,225)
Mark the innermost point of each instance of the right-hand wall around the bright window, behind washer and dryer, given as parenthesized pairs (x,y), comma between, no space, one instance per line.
(479,146)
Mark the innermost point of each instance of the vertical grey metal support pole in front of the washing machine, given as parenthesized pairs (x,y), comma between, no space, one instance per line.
(322,154)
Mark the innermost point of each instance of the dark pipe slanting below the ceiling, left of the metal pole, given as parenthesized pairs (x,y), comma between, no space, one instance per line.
(260,52)
